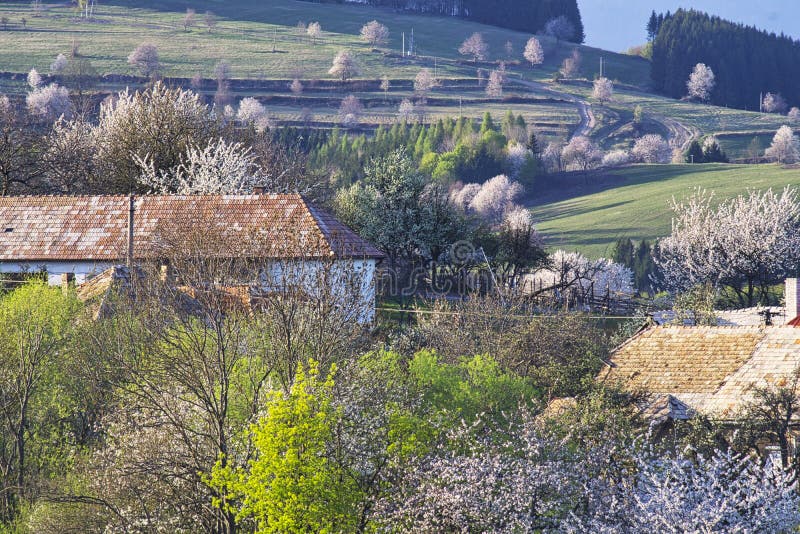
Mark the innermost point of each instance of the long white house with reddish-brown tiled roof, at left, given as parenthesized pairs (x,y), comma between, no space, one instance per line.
(81,236)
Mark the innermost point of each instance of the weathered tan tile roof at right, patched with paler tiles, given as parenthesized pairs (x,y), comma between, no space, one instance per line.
(710,369)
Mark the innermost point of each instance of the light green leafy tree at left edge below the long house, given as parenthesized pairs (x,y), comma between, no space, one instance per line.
(34,329)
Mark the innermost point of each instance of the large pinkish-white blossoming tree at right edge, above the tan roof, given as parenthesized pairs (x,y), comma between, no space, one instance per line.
(746,243)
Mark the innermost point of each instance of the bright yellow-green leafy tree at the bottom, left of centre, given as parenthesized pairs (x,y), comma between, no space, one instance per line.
(291,486)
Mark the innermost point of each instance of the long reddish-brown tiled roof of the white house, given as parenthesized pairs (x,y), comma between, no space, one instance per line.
(51,228)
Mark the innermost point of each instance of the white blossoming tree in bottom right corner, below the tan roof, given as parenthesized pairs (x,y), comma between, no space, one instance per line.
(720,493)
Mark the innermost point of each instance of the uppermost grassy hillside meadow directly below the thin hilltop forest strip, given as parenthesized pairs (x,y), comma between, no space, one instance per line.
(247,31)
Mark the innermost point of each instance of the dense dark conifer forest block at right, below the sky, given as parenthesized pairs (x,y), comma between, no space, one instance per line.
(747,62)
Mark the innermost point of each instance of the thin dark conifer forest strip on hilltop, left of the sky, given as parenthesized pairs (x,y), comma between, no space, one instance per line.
(528,16)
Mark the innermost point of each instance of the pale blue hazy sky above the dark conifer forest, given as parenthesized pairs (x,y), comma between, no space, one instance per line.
(619,24)
